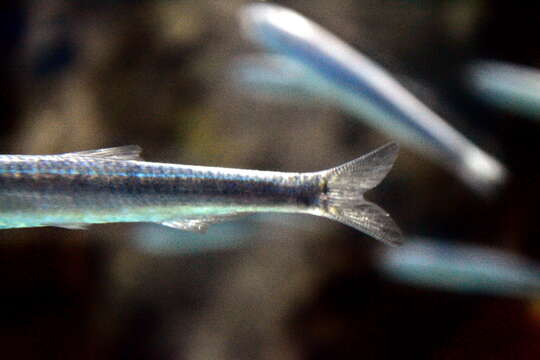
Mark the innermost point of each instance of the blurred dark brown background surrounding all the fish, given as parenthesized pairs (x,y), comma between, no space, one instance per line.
(78,75)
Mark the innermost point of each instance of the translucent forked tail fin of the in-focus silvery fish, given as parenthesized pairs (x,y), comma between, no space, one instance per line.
(343,199)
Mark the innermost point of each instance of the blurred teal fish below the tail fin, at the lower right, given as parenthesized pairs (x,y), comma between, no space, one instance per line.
(461,268)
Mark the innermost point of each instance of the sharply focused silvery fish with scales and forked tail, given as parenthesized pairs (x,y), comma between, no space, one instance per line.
(110,185)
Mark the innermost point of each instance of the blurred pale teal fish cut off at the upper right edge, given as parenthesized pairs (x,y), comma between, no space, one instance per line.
(507,86)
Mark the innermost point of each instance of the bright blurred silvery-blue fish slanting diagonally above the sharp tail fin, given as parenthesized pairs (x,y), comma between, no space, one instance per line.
(347,78)
